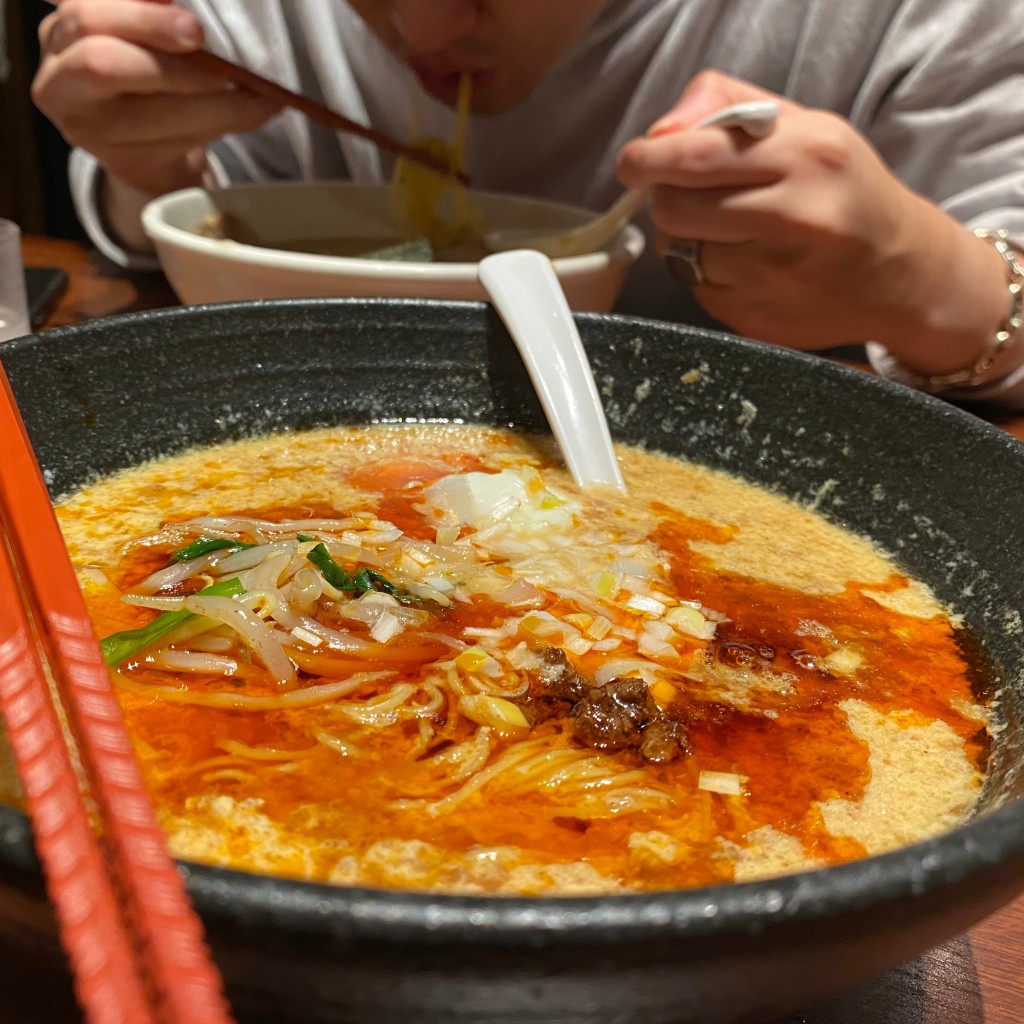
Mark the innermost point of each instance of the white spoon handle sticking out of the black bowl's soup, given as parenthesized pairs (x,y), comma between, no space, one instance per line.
(530,300)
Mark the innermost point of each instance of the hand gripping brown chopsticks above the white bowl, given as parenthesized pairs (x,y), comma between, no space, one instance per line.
(114,81)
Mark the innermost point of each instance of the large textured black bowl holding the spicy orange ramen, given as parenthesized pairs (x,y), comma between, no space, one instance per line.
(938,489)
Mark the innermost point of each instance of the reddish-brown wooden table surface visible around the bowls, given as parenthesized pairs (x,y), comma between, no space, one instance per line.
(975,979)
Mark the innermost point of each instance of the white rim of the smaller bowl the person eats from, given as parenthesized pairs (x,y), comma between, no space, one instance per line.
(627,247)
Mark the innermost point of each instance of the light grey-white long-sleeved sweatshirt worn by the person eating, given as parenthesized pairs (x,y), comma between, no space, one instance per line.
(937,87)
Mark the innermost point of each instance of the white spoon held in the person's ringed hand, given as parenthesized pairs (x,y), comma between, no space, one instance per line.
(756,118)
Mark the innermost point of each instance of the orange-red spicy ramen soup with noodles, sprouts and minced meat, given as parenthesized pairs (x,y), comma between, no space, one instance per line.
(422,658)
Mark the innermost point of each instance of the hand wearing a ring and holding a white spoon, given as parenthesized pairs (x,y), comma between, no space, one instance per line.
(808,240)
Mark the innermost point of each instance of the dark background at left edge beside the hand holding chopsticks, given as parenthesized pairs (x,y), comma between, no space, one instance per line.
(33,155)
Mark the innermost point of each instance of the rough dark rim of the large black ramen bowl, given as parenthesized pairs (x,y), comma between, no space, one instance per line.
(985,845)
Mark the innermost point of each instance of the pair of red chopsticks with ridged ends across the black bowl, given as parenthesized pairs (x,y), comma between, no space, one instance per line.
(134,941)
